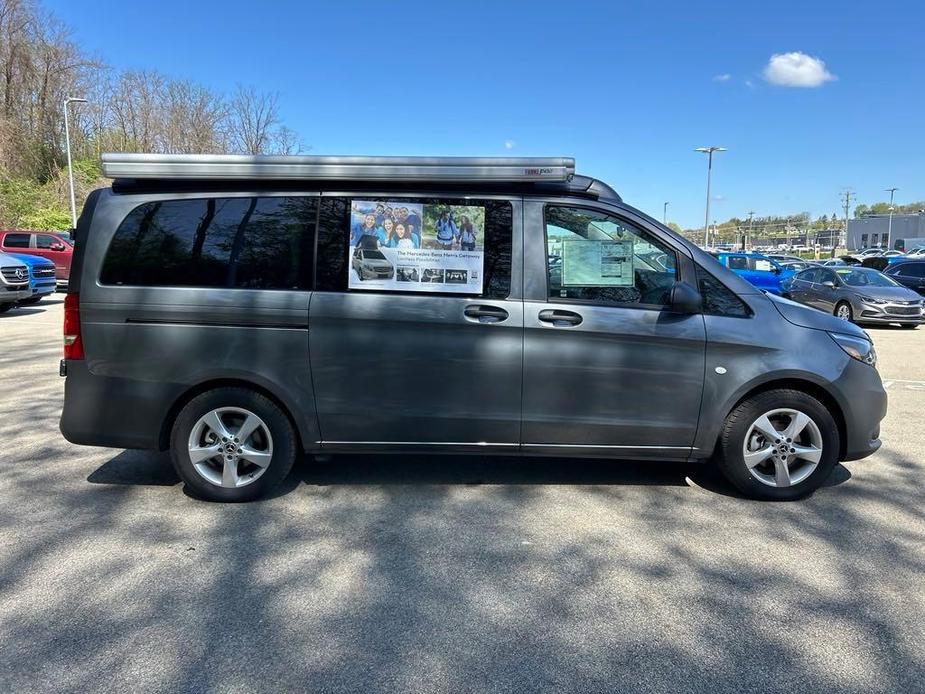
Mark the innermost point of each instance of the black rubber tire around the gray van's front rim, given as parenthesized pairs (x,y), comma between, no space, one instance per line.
(731,461)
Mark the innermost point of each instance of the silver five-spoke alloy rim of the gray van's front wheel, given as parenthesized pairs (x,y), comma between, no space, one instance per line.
(782,447)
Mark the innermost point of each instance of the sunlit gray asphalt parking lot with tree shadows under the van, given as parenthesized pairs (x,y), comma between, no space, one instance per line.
(375,574)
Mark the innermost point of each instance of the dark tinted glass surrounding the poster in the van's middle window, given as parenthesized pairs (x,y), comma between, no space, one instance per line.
(334,239)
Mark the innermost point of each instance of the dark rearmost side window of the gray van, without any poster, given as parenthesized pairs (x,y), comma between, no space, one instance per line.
(248,243)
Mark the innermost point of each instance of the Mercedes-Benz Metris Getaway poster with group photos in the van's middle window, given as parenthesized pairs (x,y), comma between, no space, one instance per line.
(400,246)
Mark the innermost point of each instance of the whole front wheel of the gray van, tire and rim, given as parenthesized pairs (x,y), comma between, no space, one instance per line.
(779,445)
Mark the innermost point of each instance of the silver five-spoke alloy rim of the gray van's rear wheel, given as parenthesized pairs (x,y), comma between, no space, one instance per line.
(230,447)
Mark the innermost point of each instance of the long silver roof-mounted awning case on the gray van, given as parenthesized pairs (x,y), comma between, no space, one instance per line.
(243,167)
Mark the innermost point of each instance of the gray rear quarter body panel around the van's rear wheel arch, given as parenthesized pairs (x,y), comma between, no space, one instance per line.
(148,346)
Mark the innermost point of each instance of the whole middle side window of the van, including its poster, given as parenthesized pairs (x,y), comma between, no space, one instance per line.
(420,245)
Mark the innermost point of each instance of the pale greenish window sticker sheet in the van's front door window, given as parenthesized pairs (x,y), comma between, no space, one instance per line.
(597,263)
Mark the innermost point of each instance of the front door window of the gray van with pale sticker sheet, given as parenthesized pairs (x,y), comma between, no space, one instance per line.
(592,256)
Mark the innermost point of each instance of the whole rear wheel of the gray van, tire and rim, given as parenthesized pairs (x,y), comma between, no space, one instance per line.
(232,444)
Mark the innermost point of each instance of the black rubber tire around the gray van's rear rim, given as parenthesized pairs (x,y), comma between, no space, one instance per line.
(280,429)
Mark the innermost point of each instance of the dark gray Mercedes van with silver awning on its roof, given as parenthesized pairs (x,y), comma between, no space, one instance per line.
(213,313)
